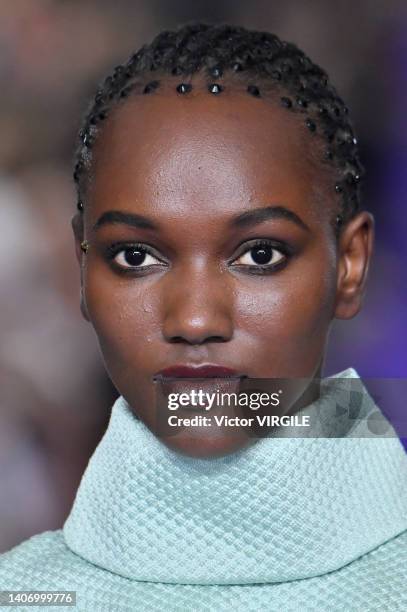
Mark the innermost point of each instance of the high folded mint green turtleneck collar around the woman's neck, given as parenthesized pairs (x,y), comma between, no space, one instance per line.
(283,509)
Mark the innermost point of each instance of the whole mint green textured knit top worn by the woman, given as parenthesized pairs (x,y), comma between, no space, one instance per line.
(288,524)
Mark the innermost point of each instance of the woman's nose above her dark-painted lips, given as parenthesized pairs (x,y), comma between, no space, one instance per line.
(198,308)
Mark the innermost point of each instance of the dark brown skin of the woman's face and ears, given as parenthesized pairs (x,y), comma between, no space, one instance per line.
(190,166)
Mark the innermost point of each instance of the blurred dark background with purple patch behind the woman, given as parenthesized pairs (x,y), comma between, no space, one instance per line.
(55,396)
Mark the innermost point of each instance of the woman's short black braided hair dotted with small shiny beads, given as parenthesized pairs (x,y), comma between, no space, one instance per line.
(301,86)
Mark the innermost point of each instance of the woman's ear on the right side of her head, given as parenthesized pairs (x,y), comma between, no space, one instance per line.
(355,252)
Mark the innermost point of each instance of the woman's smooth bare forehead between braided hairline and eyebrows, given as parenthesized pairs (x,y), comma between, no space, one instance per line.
(219,152)
